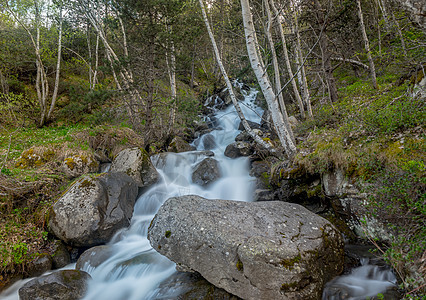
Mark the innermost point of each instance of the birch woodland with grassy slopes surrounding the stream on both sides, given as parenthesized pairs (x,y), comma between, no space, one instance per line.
(82,76)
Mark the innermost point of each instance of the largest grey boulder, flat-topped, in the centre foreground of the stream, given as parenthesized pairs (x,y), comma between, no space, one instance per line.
(257,250)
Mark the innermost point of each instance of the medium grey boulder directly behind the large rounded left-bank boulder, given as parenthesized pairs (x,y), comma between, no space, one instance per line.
(136,163)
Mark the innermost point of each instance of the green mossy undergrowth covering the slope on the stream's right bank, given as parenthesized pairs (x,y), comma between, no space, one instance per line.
(377,138)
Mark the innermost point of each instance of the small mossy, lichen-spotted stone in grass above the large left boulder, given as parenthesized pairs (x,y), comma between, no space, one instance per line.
(79,164)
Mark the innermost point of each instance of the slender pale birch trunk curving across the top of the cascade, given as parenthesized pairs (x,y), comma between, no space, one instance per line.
(229,85)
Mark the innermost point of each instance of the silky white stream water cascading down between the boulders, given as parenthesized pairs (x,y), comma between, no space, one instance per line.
(134,270)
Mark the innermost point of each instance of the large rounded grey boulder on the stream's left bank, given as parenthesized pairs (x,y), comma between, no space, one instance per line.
(93,209)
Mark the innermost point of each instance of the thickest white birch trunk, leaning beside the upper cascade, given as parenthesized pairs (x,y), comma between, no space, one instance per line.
(263,80)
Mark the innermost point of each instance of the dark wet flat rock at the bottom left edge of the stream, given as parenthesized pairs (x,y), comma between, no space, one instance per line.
(60,285)
